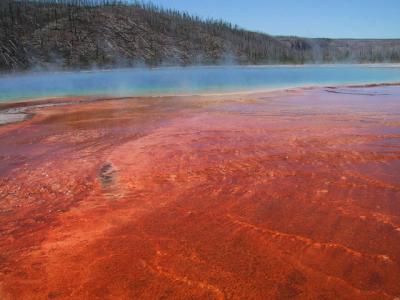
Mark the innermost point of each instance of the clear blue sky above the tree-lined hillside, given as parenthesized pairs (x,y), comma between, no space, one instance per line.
(311,18)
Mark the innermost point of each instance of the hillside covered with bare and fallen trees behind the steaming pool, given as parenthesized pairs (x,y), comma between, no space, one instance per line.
(73,34)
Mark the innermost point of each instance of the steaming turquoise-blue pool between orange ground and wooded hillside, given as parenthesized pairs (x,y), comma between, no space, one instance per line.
(160,81)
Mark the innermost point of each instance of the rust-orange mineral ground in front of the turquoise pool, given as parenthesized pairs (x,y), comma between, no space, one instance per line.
(287,195)
